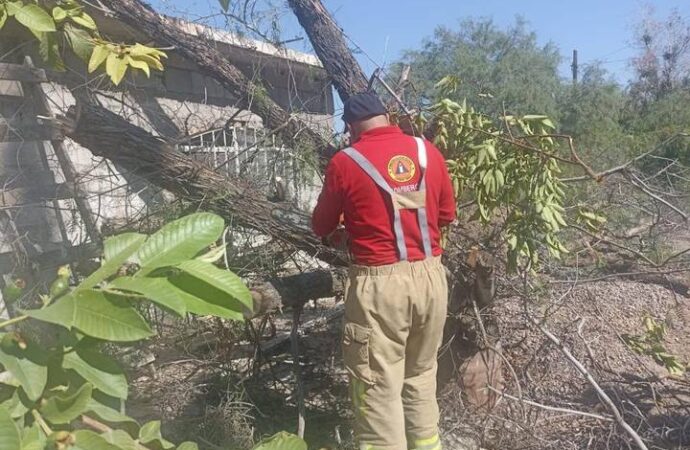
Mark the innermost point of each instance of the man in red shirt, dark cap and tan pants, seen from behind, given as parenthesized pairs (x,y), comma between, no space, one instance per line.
(395,195)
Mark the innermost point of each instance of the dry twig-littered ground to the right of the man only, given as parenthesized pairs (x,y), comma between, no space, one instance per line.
(656,404)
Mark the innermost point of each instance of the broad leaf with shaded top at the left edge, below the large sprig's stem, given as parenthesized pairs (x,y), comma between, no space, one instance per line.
(28,367)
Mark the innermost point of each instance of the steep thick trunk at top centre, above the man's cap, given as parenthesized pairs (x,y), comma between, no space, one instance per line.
(329,44)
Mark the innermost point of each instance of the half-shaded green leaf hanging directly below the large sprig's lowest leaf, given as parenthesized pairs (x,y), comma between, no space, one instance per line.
(101,371)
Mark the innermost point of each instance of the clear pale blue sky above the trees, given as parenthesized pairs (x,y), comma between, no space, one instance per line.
(598,29)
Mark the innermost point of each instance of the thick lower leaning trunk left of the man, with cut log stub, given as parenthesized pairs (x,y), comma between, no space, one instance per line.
(108,135)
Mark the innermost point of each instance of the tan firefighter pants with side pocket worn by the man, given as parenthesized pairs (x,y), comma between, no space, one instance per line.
(394,317)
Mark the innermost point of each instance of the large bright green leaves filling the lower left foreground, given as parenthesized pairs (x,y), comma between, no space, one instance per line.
(48,393)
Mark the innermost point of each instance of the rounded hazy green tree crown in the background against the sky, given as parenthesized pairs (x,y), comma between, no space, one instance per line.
(495,68)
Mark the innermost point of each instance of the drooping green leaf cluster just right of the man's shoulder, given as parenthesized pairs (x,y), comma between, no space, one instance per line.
(510,171)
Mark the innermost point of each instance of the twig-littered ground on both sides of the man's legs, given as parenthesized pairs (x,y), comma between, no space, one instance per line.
(204,379)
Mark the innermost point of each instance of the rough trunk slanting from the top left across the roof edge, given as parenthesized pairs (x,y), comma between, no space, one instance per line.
(212,63)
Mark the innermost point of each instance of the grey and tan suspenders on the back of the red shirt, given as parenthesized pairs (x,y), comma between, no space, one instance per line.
(405,200)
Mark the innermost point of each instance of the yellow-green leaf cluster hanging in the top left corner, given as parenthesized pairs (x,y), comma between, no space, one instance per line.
(66,21)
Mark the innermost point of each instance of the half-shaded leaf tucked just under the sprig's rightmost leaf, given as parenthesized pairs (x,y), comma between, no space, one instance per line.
(204,299)
